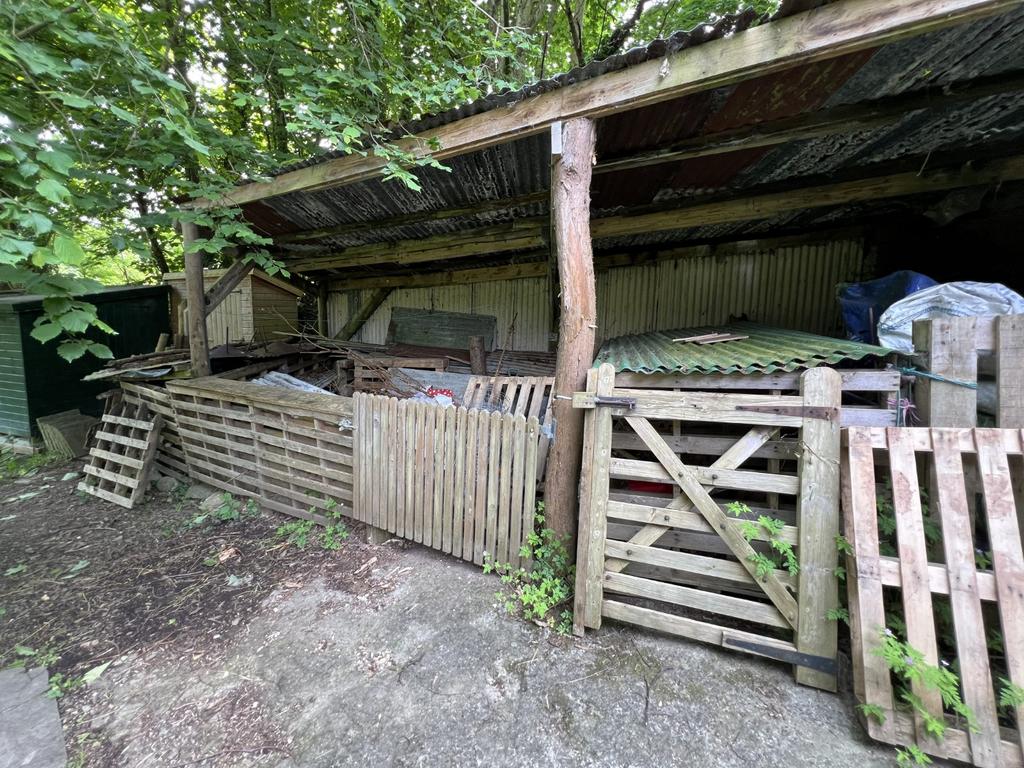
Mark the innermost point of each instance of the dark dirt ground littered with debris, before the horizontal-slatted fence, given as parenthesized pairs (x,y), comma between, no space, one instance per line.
(84,583)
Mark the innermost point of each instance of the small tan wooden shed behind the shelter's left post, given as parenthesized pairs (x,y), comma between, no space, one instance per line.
(258,309)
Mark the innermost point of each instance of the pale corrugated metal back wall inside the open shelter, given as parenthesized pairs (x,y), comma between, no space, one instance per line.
(792,287)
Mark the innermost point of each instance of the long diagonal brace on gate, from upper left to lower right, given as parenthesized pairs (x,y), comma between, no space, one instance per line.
(688,481)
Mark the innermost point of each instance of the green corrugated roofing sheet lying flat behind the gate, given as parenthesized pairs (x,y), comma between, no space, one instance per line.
(766,351)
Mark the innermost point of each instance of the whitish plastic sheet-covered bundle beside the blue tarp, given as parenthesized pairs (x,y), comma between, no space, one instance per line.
(964,300)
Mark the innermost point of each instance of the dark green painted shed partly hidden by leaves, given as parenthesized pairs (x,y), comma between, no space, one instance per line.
(35,381)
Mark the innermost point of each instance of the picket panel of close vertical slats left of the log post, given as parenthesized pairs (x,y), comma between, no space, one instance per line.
(459,481)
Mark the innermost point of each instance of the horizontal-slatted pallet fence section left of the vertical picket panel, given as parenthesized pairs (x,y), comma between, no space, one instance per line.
(290,451)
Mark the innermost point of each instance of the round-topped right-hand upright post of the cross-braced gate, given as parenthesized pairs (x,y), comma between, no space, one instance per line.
(818,524)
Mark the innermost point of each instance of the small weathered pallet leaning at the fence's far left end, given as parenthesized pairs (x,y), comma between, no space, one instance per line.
(122,455)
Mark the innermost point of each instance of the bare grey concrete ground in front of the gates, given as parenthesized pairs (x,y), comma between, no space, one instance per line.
(433,673)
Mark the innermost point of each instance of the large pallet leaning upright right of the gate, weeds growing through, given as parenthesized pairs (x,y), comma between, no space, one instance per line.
(995,594)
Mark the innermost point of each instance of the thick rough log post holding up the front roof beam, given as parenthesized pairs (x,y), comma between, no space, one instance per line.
(571,185)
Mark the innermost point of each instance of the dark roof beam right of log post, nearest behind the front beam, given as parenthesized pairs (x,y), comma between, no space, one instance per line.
(840,120)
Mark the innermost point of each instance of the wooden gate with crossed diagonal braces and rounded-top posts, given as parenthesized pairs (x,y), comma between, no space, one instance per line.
(654,556)
